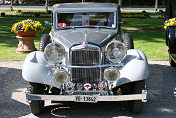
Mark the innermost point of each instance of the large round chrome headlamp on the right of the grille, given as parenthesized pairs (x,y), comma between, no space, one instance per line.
(115,51)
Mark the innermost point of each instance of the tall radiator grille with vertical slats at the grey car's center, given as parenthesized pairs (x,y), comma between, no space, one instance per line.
(89,56)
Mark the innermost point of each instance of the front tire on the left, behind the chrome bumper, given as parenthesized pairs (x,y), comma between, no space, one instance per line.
(36,106)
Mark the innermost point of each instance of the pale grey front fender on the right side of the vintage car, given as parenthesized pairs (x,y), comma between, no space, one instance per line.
(135,68)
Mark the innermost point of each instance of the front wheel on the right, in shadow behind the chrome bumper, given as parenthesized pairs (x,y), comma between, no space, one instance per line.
(136,106)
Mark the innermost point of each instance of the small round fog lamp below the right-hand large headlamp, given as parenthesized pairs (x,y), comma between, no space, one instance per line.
(111,74)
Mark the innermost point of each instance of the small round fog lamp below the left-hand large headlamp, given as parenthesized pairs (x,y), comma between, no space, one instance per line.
(61,77)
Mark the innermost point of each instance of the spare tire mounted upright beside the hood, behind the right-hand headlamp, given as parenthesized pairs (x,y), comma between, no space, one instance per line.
(128,41)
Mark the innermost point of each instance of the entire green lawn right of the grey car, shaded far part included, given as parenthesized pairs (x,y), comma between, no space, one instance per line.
(151,41)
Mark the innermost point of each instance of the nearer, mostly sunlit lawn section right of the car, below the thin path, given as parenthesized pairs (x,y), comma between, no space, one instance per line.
(151,43)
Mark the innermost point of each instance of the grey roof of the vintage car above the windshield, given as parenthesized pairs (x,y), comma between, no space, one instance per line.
(85,6)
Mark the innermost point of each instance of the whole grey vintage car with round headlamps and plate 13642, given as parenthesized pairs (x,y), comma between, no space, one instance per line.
(86,58)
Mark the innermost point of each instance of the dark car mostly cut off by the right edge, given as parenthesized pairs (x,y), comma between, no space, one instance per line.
(171,32)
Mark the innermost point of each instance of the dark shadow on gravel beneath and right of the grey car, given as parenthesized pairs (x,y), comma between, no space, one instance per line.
(161,101)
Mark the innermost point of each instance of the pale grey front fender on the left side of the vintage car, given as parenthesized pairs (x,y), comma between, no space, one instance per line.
(35,69)
